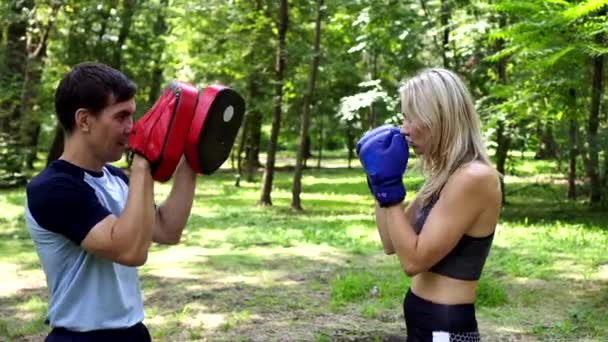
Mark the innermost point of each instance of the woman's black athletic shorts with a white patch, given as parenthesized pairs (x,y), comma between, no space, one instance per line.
(430,322)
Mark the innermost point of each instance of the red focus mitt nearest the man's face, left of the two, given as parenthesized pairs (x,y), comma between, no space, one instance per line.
(160,134)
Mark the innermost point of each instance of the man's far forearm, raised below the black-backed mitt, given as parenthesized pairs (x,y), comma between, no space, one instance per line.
(172,215)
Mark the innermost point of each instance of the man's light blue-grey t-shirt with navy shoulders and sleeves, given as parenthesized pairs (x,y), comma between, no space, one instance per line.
(86,292)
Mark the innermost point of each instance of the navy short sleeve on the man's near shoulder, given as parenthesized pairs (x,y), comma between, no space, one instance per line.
(66,206)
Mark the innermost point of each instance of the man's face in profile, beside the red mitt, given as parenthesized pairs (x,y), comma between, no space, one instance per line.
(110,130)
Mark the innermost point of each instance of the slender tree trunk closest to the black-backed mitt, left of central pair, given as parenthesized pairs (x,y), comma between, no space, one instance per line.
(278,99)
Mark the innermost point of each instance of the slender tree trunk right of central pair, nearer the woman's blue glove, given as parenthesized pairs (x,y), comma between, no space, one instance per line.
(304,148)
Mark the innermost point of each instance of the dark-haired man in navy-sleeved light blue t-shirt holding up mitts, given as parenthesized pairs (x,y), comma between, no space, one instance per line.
(90,223)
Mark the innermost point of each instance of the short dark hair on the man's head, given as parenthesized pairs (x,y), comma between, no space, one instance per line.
(91,86)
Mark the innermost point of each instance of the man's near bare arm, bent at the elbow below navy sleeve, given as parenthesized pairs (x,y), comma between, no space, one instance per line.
(126,239)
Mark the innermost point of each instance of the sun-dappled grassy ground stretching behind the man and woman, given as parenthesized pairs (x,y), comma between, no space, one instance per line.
(249,273)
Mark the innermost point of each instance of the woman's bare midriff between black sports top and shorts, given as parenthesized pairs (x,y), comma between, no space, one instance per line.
(443,290)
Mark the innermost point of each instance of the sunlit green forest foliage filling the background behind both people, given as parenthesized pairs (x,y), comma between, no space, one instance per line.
(367,49)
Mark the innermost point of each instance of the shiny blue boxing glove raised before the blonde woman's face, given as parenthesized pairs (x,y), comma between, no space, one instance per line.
(384,158)
